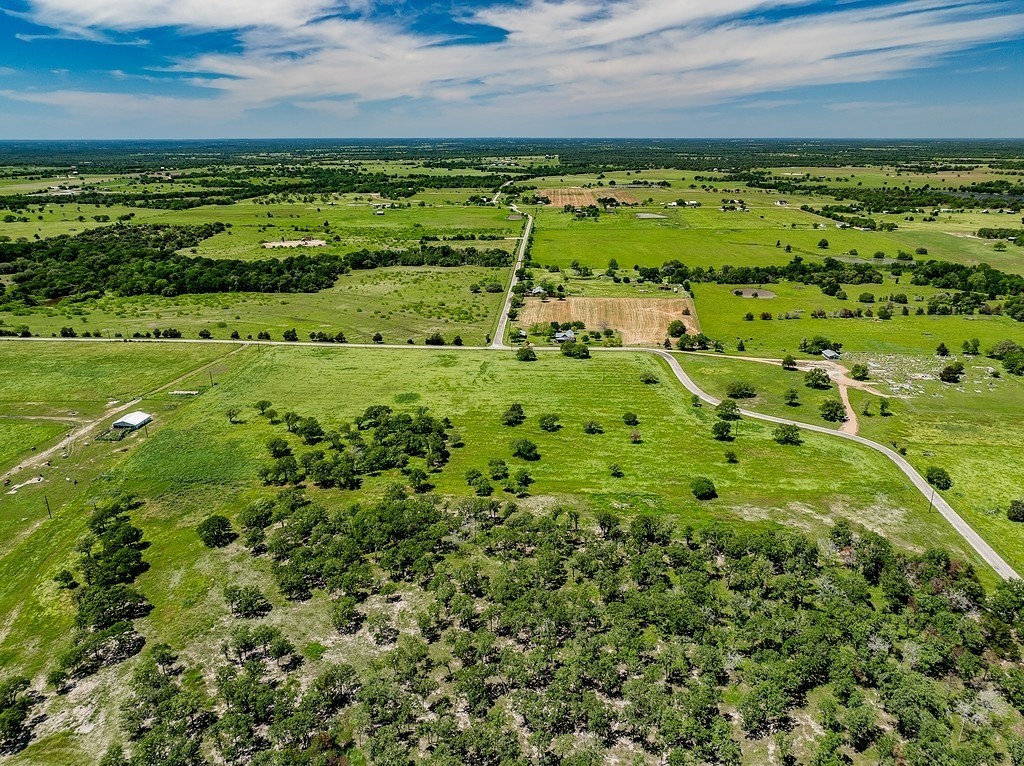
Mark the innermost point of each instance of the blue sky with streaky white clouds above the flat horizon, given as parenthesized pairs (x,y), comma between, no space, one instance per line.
(197,69)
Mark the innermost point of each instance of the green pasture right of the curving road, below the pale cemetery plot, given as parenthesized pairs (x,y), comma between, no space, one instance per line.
(975,431)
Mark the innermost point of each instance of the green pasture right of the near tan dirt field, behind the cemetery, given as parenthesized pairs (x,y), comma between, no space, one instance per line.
(721,315)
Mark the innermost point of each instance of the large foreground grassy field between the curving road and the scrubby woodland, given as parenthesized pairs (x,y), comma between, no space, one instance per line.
(196,462)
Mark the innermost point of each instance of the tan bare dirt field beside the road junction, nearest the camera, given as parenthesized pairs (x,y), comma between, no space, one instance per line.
(642,321)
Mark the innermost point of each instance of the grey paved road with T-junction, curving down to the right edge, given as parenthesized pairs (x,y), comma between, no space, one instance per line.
(985,550)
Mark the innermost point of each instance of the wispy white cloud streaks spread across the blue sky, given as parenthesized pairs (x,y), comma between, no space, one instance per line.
(560,60)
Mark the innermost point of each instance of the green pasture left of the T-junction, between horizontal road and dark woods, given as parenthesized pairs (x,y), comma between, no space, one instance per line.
(399,303)
